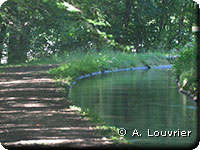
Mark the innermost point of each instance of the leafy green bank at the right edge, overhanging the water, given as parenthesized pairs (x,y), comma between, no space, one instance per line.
(185,68)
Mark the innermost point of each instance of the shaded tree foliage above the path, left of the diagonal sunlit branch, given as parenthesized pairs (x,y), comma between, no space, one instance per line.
(36,29)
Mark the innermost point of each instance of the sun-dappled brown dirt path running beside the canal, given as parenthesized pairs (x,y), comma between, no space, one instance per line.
(32,113)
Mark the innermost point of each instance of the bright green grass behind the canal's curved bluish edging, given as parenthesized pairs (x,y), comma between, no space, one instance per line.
(94,61)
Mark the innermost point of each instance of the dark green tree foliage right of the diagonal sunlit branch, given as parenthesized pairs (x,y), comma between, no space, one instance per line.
(144,24)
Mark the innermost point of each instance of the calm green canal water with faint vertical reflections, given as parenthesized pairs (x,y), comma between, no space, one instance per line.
(142,100)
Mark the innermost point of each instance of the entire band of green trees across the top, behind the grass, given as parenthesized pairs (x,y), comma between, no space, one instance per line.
(31,29)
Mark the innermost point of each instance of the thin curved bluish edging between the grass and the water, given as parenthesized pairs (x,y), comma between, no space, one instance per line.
(118,70)
